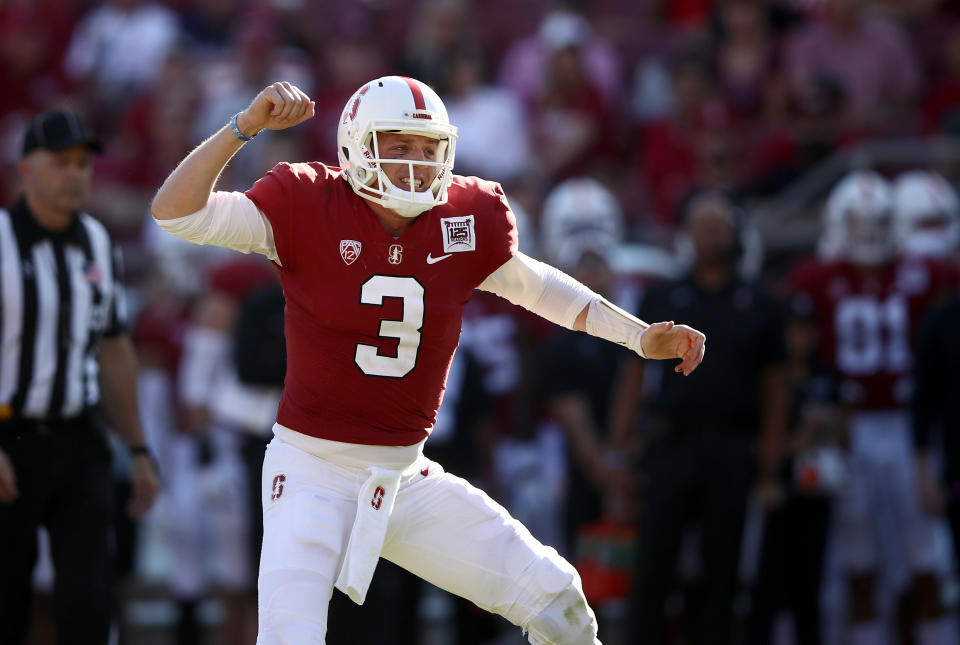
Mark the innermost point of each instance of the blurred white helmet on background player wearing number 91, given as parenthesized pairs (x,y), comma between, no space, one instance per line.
(858,220)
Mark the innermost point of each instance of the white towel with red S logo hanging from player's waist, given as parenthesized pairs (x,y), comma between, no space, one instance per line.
(374,505)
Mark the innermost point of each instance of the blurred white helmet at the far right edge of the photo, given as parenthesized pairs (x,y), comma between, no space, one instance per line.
(926,214)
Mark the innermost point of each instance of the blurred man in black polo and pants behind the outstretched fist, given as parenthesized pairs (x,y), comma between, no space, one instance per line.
(702,460)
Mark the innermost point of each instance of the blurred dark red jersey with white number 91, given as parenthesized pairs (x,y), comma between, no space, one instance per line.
(867,323)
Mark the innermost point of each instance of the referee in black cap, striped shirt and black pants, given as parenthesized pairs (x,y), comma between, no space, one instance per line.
(62,340)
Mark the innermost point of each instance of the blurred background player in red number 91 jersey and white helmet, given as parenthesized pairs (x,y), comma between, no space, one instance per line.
(867,302)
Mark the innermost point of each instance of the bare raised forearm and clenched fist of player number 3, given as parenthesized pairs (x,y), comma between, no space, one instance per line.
(187,189)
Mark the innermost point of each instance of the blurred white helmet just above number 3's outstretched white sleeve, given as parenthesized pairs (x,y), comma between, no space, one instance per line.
(578,215)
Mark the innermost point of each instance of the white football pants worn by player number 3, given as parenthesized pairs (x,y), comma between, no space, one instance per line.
(441,528)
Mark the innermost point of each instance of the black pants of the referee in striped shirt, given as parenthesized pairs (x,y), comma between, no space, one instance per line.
(65,484)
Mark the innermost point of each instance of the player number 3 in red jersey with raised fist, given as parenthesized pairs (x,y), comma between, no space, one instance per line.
(377,259)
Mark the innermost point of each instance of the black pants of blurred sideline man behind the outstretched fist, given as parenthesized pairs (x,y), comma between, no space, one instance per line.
(692,479)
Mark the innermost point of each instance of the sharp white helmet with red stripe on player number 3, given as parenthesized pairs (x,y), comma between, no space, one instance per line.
(394,104)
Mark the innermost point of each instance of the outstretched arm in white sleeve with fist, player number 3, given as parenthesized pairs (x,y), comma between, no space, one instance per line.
(554,295)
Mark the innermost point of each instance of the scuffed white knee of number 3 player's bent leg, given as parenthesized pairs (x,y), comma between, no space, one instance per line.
(567,620)
